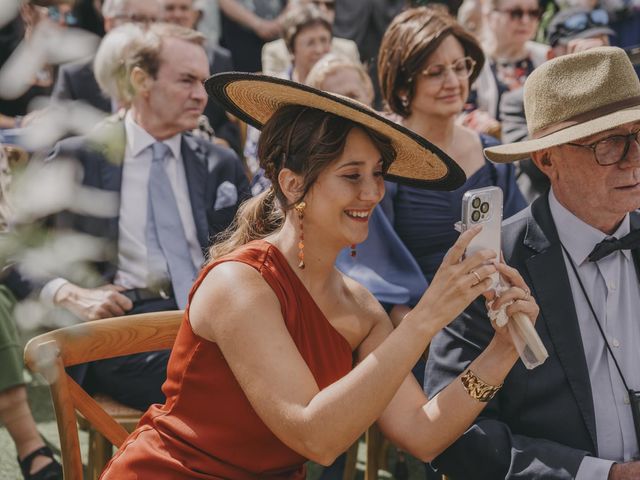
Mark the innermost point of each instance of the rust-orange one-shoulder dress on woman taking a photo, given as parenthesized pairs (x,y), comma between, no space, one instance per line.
(207,428)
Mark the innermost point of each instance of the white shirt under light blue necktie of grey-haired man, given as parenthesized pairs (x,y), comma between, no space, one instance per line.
(132,249)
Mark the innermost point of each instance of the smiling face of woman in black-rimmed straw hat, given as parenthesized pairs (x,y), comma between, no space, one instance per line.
(341,200)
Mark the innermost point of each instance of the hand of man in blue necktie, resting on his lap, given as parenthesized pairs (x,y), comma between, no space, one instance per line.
(93,303)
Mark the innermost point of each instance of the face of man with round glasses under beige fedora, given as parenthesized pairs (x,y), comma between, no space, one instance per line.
(599,195)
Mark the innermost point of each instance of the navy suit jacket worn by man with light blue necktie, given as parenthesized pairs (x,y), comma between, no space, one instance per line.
(101,156)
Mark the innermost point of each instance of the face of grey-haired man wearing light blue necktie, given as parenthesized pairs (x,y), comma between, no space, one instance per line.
(173,101)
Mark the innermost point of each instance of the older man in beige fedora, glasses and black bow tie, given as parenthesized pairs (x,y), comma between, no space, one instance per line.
(578,249)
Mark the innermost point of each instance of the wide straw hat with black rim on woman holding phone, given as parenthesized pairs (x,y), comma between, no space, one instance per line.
(254,98)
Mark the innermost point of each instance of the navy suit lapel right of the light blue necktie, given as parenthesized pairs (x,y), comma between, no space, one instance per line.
(195,167)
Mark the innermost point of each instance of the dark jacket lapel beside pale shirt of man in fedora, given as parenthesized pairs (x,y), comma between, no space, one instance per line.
(550,282)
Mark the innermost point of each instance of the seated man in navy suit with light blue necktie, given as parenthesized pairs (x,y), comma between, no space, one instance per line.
(169,193)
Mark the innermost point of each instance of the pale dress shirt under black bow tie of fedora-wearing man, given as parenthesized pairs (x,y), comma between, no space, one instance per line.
(612,286)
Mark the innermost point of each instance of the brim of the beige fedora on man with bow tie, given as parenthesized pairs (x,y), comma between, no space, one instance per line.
(521,150)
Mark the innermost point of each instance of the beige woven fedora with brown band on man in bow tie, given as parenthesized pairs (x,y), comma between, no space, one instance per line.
(575,96)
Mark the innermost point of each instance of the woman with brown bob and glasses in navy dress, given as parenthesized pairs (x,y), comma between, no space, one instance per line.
(426,66)
